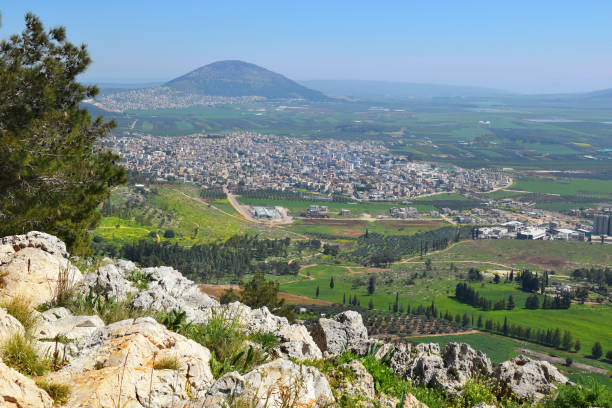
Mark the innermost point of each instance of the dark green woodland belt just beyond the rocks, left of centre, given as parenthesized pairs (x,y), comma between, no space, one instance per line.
(206,262)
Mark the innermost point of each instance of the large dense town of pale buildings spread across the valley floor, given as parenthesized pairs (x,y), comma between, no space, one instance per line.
(244,160)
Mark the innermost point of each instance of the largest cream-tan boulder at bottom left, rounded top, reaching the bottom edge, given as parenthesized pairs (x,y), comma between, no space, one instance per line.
(118,363)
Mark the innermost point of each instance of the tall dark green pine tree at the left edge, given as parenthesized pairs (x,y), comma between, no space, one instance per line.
(52,175)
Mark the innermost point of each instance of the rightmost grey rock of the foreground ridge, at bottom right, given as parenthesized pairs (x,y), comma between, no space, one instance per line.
(529,379)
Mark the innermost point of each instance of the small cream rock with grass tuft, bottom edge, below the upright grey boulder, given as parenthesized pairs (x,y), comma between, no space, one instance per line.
(354,380)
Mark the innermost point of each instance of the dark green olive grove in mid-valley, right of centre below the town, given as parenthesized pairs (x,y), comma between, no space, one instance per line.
(378,249)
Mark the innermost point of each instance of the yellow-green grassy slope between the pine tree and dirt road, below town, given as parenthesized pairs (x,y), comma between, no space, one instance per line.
(177,208)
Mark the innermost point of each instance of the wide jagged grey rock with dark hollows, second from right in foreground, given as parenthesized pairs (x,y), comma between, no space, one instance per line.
(450,370)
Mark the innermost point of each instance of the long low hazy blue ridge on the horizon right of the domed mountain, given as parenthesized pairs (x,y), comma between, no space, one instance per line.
(398,90)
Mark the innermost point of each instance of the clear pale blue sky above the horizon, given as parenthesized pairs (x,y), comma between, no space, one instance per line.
(523,46)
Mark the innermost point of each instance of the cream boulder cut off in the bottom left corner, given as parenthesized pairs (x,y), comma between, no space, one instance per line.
(19,391)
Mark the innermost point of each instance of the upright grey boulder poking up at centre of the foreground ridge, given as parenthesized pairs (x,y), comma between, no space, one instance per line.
(344,331)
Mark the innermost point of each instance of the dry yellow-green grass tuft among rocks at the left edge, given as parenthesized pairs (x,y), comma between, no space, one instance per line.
(19,352)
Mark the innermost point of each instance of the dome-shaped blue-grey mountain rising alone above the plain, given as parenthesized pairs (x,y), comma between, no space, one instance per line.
(238,78)
